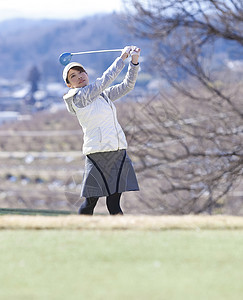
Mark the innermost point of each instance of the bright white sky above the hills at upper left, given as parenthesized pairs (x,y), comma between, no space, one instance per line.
(56,9)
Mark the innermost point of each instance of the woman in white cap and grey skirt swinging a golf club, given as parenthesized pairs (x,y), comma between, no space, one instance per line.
(108,169)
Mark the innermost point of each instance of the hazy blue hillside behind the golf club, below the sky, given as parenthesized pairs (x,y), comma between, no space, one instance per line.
(24,43)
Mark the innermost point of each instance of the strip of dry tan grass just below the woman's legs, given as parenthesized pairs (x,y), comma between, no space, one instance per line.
(188,222)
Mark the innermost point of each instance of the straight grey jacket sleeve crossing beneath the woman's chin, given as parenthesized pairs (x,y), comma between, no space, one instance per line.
(89,93)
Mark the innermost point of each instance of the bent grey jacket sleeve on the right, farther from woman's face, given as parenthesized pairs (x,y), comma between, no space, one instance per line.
(117,91)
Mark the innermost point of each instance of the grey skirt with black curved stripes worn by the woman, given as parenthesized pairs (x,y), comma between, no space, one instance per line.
(107,173)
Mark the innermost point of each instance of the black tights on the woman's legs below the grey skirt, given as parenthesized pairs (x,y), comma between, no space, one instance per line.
(112,203)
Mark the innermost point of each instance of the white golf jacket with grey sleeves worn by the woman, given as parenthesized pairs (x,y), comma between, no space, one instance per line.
(95,111)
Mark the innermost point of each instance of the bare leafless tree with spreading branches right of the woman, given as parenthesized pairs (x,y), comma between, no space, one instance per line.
(190,137)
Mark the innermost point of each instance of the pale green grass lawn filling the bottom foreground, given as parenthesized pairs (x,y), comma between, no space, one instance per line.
(128,264)
